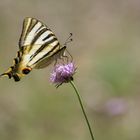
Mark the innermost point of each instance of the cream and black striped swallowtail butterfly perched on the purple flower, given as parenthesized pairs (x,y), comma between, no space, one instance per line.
(38,47)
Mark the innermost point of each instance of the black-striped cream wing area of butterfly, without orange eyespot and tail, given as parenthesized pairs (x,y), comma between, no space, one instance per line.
(39,44)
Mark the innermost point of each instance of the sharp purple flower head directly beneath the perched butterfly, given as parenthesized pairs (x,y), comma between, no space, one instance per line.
(62,73)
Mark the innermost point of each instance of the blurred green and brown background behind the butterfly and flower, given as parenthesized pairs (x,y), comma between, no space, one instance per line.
(106,50)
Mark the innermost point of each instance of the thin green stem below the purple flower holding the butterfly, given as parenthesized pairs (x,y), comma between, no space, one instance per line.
(83,110)
